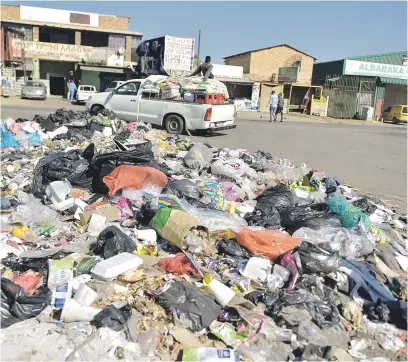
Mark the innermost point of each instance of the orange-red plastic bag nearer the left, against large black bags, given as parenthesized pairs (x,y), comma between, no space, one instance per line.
(133,177)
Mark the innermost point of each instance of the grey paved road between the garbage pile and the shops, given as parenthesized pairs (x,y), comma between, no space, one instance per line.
(371,158)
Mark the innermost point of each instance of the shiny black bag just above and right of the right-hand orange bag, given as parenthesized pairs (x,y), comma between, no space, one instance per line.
(294,215)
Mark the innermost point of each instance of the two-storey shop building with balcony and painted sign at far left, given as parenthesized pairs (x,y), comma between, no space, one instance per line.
(55,45)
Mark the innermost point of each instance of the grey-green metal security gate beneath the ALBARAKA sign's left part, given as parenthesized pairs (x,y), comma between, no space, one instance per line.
(348,95)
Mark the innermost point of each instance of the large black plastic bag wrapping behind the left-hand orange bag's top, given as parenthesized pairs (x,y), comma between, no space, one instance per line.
(104,164)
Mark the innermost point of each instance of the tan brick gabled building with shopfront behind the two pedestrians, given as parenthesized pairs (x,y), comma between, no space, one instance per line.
(282,68)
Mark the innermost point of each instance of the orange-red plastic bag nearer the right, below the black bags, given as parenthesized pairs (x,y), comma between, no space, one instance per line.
(269,243)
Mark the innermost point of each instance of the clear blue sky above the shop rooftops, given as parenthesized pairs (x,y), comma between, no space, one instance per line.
(325,30)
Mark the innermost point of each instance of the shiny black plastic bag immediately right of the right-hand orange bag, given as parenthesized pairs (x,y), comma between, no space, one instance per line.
(318,260)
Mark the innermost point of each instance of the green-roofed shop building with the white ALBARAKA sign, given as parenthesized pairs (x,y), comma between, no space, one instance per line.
(363,86)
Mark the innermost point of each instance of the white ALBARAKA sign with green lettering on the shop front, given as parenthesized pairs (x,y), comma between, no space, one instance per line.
(356,67)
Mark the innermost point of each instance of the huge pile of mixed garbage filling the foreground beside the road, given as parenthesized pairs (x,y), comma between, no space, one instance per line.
(131,244)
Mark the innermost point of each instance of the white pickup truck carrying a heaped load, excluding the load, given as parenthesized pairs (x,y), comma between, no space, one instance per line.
(131,103)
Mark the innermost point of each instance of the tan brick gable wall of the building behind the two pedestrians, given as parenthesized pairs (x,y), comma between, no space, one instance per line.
(266,62)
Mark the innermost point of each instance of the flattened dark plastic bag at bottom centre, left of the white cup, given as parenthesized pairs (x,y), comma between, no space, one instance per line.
(190,303)
